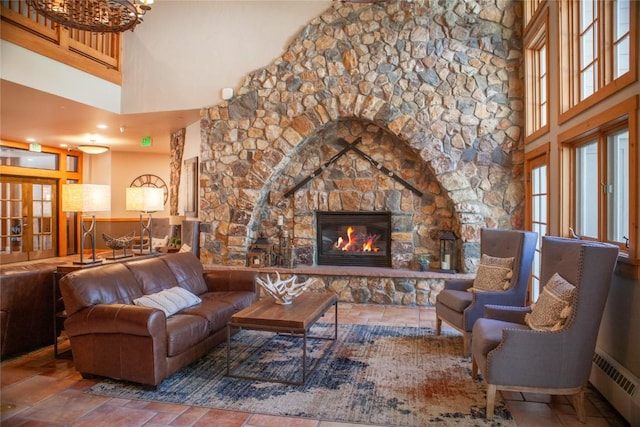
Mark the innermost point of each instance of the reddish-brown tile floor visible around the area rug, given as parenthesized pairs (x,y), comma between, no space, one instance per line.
(38,390)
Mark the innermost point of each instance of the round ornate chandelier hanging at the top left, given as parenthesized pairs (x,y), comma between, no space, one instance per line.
(98,16)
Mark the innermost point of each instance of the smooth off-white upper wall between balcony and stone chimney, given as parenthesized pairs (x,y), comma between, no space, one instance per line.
(185,52)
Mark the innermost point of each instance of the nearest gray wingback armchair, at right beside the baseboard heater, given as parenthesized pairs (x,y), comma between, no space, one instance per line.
(557,359)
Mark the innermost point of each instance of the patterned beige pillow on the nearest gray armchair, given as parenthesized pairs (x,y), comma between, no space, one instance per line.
(553,307)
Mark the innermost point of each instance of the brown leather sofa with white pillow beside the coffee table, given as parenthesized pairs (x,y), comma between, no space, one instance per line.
(112,337)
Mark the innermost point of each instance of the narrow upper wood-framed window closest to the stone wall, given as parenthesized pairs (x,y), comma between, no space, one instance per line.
(536,83)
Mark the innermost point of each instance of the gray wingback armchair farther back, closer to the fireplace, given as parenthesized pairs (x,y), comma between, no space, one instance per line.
(460,308)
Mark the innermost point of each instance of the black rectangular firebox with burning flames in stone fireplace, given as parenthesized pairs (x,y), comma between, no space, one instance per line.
(353,238)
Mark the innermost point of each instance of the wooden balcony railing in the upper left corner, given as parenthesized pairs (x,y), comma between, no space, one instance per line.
(98,54)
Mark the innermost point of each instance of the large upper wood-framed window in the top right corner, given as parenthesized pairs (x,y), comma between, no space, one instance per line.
(598,45)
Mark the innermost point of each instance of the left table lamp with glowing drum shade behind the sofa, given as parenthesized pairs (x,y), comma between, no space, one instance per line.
(86,198)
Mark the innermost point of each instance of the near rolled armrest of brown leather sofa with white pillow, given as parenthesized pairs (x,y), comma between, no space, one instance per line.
(117,319)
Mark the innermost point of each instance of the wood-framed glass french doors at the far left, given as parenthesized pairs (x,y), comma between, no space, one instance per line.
(28,220)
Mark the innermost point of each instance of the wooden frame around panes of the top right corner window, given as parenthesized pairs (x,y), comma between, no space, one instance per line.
(570,103)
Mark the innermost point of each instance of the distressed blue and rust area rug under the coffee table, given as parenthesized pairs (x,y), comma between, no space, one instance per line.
(381,375)
